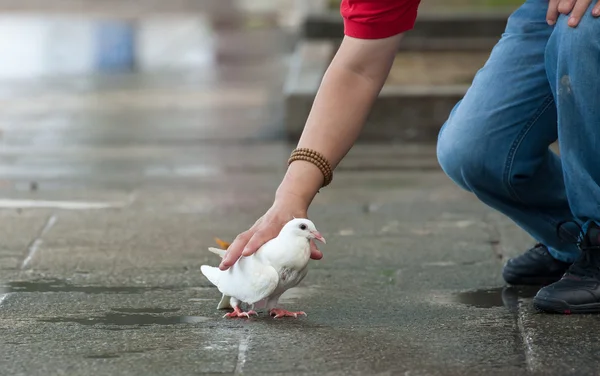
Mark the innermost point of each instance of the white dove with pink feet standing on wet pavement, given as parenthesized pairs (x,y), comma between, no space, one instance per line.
(260,279)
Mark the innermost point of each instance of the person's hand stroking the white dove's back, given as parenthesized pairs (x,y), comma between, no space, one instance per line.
(266,228)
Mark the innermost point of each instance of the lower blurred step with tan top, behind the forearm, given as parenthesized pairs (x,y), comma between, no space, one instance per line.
(420,92)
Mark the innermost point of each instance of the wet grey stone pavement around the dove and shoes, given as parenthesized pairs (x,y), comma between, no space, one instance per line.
(112,188)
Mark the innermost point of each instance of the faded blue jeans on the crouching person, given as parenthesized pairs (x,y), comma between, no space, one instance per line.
(540,84)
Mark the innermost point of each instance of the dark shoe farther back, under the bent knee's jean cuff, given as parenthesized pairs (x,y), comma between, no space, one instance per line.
(534,267)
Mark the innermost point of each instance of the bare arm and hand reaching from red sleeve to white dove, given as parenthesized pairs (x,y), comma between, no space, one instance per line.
(349,88)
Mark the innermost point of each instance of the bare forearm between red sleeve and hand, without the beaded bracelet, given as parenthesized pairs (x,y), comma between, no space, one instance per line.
(342,104)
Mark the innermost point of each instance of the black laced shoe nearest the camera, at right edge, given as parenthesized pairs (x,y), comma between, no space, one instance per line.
(578,291)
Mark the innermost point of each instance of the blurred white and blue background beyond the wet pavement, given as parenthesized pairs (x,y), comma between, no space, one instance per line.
(74,37)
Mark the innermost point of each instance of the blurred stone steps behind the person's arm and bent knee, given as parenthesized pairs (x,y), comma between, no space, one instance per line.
(434,67)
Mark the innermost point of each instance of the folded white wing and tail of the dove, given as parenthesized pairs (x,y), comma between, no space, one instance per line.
(249,280)
